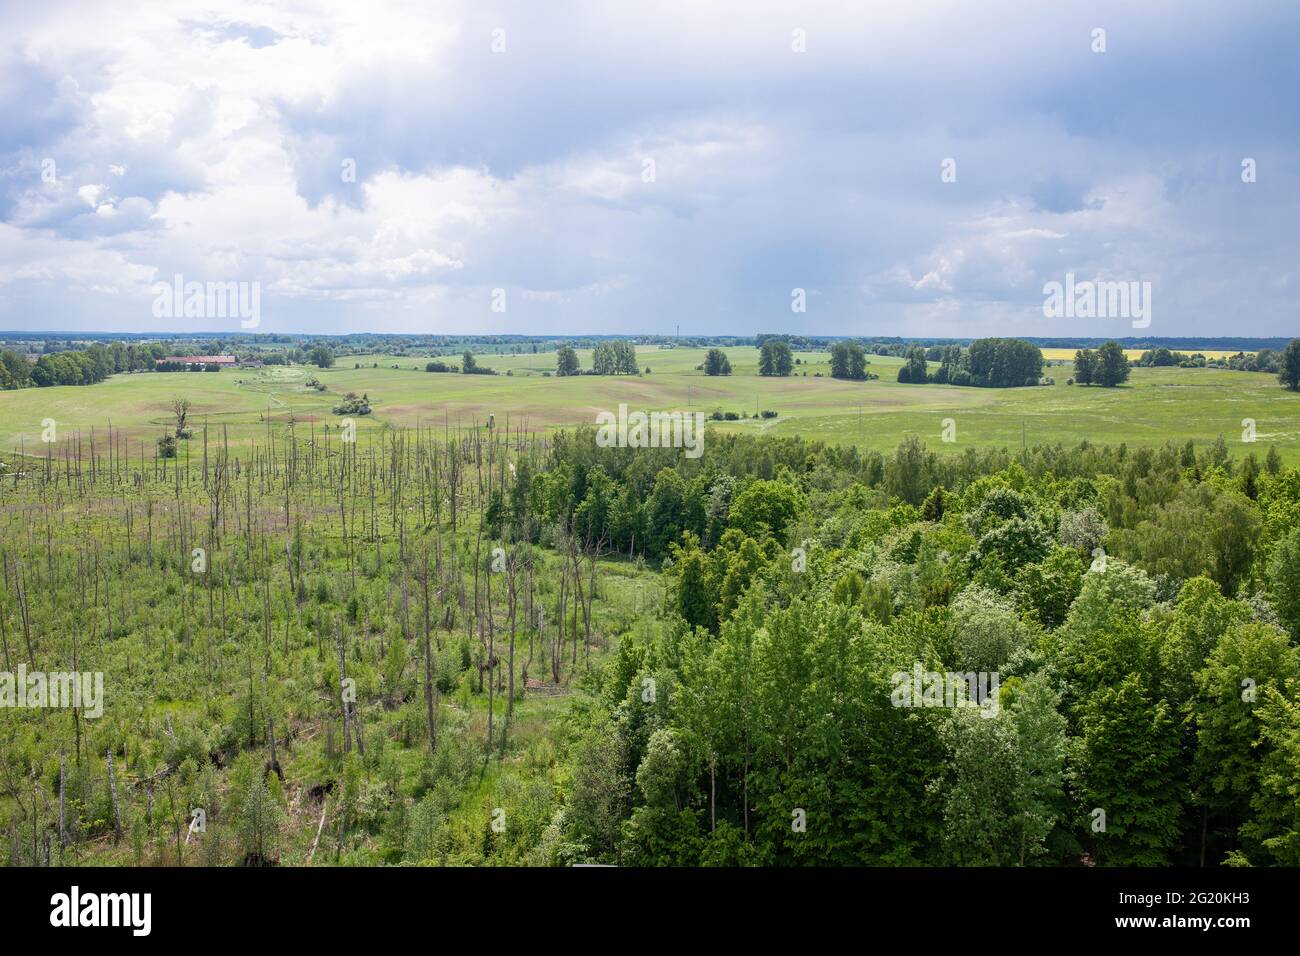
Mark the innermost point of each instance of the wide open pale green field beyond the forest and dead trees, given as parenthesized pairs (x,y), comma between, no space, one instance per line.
(1155,406)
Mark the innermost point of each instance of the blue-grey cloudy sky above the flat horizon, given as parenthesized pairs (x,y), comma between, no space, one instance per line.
(629,167)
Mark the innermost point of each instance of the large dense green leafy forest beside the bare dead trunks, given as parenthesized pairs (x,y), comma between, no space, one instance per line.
(1139,608)
